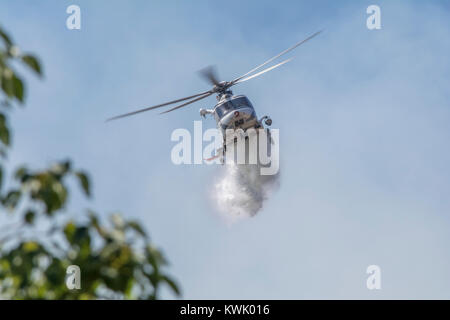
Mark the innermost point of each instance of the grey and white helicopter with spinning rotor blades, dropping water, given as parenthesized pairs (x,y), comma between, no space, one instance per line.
(231,111)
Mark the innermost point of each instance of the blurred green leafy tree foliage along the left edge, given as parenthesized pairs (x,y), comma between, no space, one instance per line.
(116,259)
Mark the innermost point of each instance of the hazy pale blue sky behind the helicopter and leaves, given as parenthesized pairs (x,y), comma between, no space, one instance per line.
(363,118)
